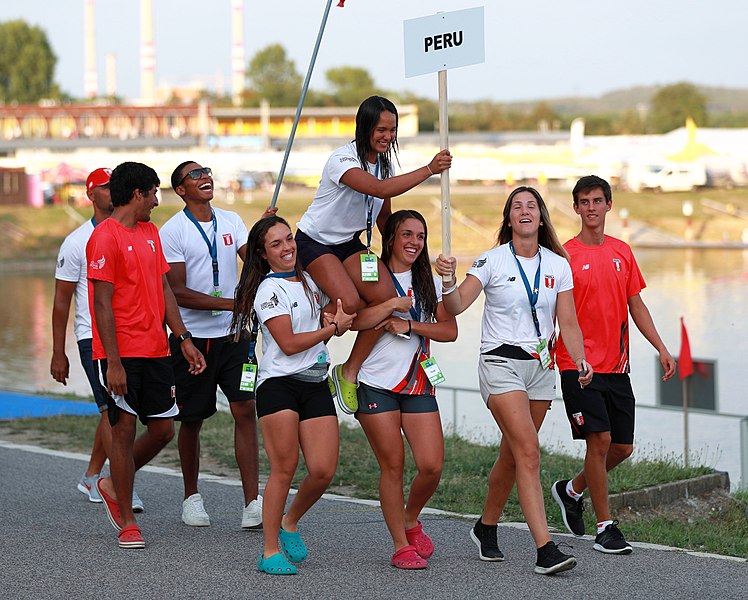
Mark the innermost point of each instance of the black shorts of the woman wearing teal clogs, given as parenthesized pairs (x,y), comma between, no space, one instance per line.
(310,400)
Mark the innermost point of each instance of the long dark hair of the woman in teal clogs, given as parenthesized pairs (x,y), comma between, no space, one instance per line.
(255,268)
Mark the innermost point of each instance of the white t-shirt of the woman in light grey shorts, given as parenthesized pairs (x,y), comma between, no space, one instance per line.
(506,314)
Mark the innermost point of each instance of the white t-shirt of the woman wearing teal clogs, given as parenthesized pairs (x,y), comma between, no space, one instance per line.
(277,297)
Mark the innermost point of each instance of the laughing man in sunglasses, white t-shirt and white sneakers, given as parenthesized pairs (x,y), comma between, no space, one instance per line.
(201,244)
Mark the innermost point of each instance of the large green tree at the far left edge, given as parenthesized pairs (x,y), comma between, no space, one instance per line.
(27,63)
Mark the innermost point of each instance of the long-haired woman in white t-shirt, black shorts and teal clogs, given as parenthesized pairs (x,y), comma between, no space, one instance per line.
(294,405)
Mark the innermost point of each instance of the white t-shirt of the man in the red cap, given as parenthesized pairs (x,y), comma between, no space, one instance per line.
(72,266)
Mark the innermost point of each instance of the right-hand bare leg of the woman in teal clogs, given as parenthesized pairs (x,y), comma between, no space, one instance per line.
(319,443)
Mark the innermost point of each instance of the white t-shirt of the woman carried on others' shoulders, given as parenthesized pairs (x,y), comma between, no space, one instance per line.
(338,212)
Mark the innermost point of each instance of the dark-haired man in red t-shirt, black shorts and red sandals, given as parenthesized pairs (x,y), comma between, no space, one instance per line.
(131,301)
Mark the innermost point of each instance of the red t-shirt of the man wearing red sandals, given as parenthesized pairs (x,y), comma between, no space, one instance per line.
(131,260)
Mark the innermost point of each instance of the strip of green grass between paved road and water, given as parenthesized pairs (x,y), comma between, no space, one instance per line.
(714,523)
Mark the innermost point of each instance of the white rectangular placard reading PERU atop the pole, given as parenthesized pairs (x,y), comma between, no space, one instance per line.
(444,41)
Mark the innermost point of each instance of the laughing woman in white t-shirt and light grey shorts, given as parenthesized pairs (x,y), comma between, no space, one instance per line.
(527,283)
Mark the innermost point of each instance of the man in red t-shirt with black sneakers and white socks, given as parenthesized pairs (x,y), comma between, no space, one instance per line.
(607,286)
